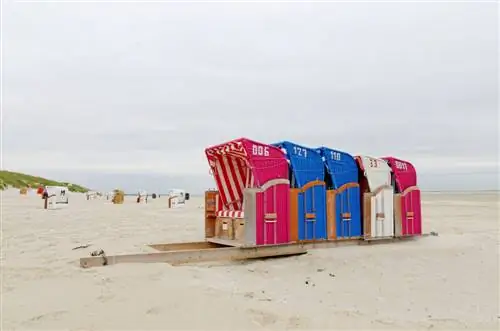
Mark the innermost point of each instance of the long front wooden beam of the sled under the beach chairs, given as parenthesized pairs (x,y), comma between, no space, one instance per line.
(192,256)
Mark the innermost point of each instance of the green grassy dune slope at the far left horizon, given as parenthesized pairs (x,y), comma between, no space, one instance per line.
(19,180)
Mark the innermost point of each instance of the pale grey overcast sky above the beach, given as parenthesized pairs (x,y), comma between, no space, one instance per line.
(105,92)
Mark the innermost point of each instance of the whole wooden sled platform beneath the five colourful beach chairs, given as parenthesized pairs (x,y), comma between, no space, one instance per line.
(219,249)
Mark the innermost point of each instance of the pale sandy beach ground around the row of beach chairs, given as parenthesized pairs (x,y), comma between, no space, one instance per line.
(444,282)
